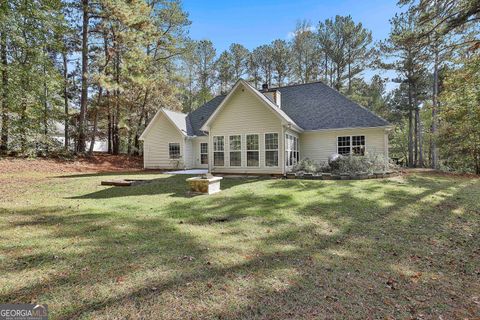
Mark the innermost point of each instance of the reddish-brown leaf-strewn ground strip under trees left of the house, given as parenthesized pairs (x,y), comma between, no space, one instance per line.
(95,163)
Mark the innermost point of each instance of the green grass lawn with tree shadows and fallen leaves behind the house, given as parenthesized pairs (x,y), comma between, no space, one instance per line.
(403,247)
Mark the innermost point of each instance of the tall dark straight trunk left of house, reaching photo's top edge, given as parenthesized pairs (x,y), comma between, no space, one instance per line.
(84,94)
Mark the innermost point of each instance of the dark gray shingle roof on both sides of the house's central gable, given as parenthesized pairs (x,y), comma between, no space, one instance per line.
(312,106)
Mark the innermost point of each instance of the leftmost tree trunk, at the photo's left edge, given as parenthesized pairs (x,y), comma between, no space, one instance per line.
(5,117)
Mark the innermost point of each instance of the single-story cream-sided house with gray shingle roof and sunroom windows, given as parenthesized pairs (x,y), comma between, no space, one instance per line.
(250,131)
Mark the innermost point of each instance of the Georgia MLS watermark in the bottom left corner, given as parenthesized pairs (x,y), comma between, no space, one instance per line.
(23,311)
